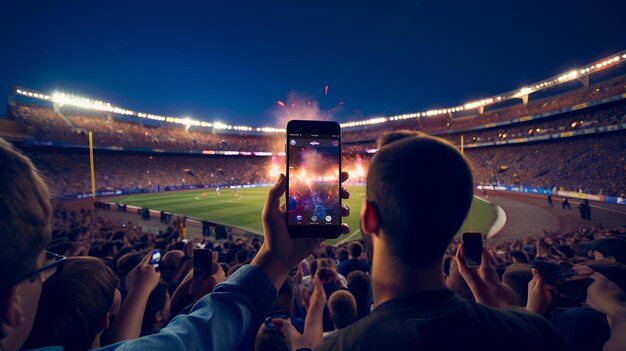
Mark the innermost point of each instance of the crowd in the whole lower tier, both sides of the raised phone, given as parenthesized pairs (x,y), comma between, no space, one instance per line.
(592,164)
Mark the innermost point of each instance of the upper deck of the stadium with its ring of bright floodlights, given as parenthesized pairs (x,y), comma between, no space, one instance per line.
(65,119)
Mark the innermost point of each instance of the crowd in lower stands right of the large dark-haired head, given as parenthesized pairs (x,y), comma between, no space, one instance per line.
(593,165)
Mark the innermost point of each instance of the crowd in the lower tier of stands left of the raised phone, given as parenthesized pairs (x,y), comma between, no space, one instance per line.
(68,172)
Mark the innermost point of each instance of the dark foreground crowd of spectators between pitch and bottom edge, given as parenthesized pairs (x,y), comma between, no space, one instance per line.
(104,252)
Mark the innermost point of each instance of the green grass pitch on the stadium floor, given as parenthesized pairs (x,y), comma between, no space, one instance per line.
(244,211)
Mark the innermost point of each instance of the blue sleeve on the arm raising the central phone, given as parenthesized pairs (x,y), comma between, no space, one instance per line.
(222,320)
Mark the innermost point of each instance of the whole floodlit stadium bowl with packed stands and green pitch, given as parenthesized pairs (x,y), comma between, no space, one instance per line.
(517,142)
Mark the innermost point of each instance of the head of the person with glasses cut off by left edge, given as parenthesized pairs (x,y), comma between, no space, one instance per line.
(25,218)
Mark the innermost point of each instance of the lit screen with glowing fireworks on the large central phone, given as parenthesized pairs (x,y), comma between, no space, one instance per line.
(314,166)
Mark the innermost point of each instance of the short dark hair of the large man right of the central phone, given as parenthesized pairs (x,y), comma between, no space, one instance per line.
(421,187)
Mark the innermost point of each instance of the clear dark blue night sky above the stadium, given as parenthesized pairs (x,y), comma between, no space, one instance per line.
(231,60)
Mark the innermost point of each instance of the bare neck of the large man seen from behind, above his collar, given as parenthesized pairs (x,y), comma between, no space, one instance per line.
(392,279)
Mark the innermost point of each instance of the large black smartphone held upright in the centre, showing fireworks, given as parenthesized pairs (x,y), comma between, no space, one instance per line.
(313,156)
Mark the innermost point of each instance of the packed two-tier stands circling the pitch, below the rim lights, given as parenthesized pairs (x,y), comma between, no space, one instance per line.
(547,151)
